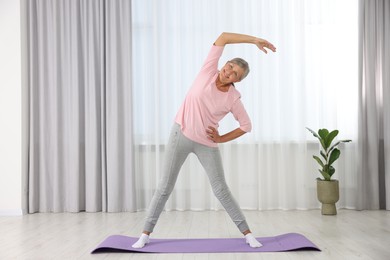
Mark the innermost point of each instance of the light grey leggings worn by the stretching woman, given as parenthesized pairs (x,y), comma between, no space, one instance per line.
(179,147)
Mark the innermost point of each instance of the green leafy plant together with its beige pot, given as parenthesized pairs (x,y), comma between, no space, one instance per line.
(327,188)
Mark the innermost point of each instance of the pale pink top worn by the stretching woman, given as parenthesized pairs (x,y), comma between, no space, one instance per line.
(205,105)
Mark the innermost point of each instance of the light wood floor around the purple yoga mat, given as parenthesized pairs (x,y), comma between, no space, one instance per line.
(349,235)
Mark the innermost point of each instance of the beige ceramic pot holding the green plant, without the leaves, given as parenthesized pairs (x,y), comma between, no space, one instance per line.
(328,195)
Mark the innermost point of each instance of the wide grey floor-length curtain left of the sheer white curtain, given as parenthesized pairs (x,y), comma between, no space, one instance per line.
(78,115)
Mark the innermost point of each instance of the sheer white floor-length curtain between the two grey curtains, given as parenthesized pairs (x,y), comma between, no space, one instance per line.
(310,81)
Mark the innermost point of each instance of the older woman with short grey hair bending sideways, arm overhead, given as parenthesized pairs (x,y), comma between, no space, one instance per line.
(210,98)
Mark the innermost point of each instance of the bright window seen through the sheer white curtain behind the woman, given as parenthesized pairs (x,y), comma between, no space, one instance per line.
(310,81)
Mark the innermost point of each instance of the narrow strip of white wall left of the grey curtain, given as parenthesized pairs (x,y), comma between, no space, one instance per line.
(10,108)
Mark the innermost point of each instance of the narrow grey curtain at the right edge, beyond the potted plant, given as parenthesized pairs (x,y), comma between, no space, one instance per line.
(374,109)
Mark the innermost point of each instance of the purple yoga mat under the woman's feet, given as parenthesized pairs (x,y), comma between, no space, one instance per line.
(285,242)
